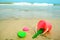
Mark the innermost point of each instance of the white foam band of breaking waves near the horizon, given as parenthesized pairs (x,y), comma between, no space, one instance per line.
(30,4)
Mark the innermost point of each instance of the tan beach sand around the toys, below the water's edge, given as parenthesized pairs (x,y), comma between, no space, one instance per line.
(10,27)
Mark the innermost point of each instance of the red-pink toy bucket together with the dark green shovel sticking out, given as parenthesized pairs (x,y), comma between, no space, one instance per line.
(42,28)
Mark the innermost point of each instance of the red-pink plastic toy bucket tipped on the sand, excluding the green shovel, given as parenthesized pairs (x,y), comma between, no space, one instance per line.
(44,25)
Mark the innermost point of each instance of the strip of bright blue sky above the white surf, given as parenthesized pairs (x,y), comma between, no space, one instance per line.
(34,1)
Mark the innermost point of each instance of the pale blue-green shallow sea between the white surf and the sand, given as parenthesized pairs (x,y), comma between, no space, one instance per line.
(17,11)
